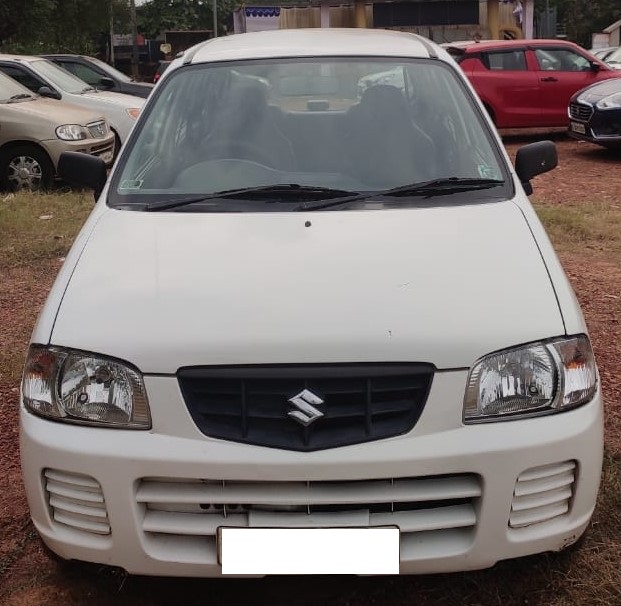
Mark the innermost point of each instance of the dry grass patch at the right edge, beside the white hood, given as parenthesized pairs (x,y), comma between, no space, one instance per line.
(596,226)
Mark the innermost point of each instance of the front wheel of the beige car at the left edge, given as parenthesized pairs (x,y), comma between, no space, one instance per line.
(25,167)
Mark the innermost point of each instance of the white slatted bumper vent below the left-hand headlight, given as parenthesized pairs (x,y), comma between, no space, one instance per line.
(76,500)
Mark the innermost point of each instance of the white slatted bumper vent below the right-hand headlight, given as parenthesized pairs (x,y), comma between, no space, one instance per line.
(542,493)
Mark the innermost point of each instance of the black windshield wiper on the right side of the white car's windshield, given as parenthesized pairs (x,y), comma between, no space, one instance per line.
(435,187)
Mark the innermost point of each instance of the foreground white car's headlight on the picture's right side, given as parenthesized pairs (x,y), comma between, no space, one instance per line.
(535,379)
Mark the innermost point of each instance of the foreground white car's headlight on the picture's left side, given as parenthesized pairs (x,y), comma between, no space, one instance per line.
(79,387)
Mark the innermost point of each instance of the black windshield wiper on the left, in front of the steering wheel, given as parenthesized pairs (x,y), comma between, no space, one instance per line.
(282,191)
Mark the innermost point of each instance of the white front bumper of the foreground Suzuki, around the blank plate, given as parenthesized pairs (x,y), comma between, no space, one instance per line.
(464,497)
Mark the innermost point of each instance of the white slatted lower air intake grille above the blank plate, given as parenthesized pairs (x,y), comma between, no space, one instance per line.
(435,515)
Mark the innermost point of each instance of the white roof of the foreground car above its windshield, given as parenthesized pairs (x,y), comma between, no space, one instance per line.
(312,42)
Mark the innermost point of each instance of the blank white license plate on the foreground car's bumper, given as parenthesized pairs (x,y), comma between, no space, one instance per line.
(259,551)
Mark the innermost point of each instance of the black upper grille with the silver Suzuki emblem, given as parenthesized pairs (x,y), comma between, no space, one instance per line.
(342,404)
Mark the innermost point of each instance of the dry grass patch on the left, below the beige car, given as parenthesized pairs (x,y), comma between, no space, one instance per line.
(36,226)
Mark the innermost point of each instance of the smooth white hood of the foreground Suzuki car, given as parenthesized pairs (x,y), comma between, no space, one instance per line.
(443,285)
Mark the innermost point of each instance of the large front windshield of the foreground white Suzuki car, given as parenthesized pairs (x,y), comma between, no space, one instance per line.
(307,129)
